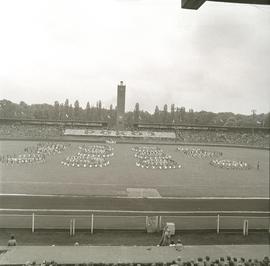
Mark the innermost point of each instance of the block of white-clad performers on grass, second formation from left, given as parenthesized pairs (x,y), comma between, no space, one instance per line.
(90,156)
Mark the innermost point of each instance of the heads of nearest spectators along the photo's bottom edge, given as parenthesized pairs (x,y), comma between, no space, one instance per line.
(206,261)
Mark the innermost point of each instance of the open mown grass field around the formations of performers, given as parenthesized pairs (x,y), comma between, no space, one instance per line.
(195,178)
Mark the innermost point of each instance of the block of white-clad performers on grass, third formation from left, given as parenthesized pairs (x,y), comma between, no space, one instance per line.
(153,158)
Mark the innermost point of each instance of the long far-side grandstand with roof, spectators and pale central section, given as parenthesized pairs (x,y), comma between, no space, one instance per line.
(179,133)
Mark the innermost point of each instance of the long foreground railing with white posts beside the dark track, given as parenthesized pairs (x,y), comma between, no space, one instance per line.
(150,221)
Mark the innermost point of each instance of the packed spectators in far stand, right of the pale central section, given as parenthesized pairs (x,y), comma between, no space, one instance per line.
(235,138)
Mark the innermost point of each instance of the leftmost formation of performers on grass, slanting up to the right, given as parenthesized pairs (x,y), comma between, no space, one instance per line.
(33,154)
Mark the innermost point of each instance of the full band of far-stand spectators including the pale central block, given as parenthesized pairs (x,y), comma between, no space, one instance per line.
(183,135)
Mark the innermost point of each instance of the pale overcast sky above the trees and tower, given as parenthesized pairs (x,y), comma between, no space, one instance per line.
(215,59)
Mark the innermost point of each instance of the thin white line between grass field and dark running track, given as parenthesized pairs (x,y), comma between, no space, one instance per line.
(124,197)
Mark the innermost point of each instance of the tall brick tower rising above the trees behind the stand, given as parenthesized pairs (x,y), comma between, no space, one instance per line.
(120,111)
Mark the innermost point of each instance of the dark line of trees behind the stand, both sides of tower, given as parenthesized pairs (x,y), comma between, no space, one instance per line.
(166,115)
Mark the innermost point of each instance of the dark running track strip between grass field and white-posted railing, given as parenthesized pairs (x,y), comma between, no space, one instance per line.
(177,206)
